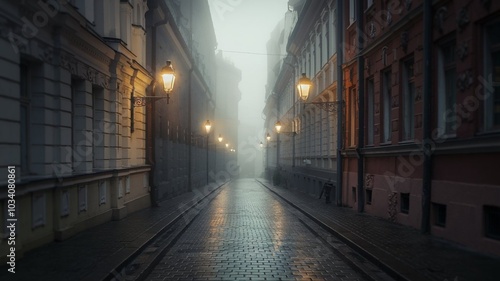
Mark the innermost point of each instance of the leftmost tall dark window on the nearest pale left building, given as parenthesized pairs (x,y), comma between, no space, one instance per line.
(25,102)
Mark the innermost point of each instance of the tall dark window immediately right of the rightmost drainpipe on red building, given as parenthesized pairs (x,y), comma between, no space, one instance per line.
(447,79)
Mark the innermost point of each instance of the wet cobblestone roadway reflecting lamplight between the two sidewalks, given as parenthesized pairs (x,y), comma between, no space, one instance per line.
(246,233)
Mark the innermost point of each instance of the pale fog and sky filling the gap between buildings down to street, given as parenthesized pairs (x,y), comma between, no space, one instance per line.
(242,29)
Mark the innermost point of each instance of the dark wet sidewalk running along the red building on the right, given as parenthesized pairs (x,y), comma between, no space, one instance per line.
(402,250)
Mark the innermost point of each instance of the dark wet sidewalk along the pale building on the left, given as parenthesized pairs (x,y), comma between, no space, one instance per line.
(95,253)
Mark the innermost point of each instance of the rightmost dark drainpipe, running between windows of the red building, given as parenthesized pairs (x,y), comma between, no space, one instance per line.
(427,88)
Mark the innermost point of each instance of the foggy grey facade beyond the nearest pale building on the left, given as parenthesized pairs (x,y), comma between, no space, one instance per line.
(182,32)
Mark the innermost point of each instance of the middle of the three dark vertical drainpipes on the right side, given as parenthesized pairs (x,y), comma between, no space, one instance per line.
(361,107)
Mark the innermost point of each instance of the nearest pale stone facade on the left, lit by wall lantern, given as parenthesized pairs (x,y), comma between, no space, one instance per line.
(68,69)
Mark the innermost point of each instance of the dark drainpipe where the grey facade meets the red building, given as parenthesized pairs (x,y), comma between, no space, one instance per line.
(340,85)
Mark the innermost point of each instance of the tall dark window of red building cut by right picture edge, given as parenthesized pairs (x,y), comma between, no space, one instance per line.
(492,69)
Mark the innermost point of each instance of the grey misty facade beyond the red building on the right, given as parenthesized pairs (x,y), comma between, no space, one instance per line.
(304,154)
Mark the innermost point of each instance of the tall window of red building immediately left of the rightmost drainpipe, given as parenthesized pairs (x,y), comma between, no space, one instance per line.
(408,98)
